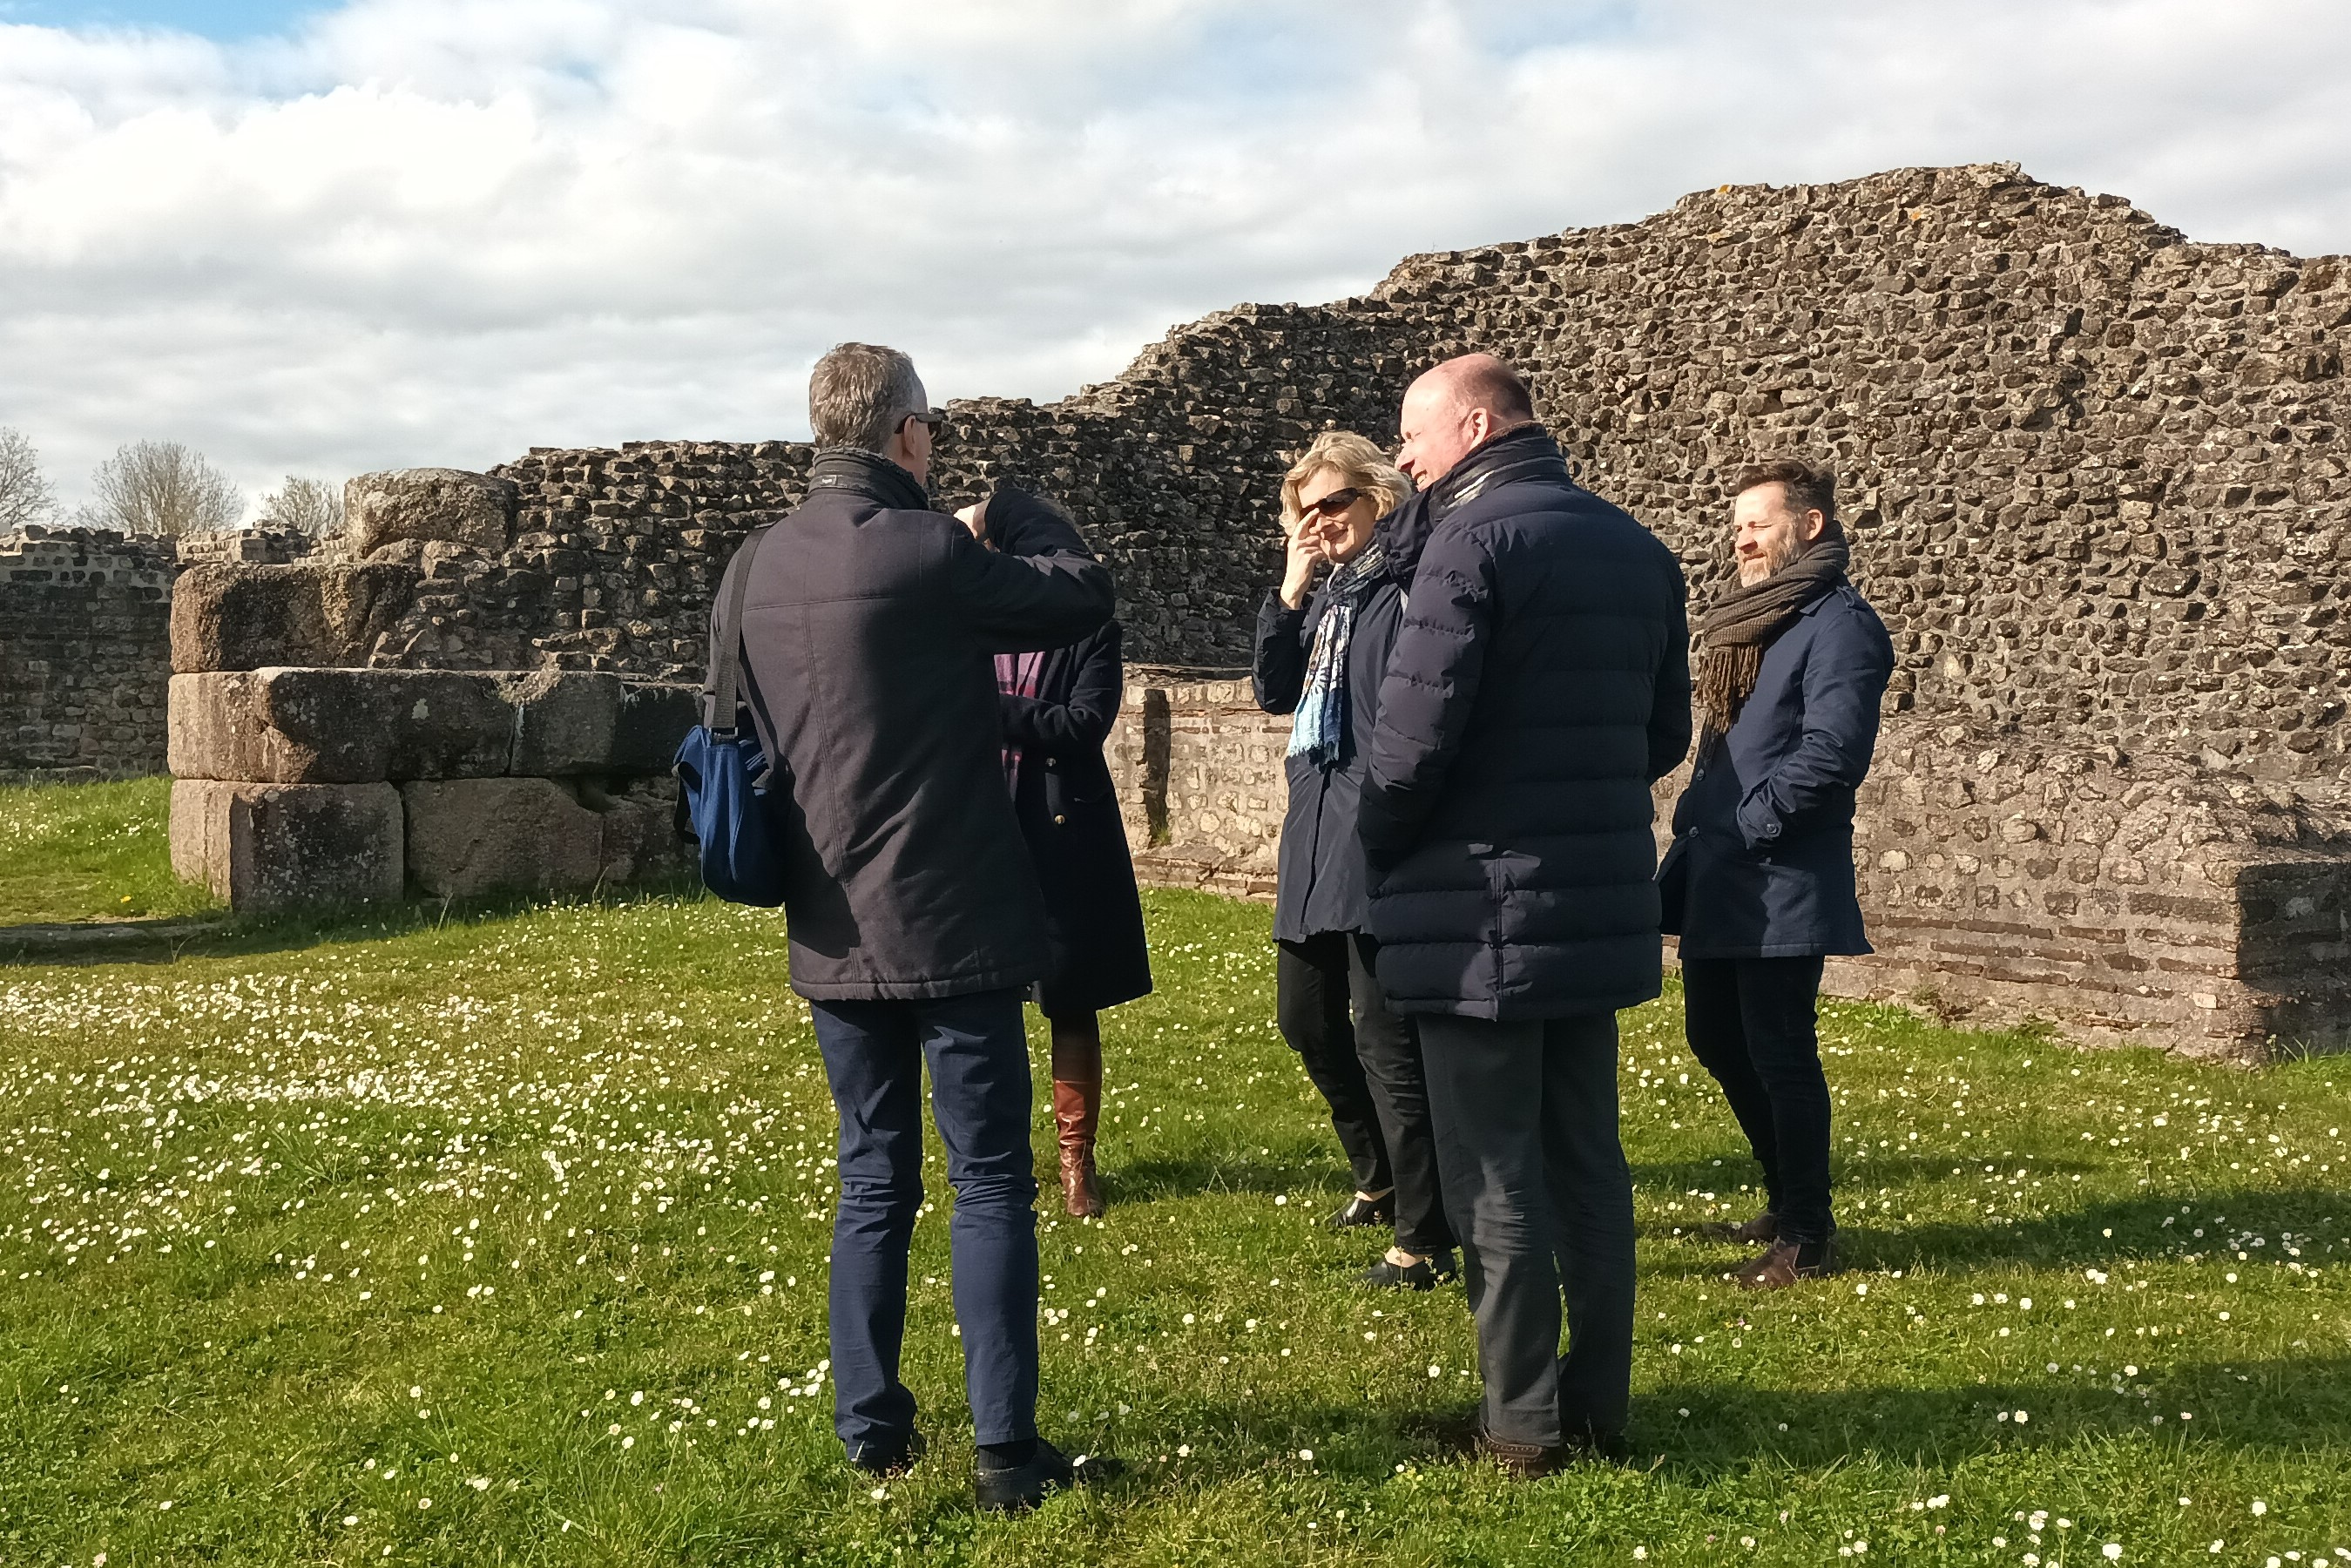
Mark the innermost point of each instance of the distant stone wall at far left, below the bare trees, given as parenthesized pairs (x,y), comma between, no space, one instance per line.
(86,645)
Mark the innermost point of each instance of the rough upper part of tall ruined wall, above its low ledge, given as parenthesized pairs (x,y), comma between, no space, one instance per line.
(2096,474)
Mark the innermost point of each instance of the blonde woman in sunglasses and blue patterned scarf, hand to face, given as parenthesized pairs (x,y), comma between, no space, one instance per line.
(1320,659)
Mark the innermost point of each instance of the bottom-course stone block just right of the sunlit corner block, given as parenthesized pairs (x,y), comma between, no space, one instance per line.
(502,836)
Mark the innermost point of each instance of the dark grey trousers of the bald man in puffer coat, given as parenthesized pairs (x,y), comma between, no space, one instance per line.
(1539,1191)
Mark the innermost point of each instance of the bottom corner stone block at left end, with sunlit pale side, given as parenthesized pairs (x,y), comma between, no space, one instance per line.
(279,847)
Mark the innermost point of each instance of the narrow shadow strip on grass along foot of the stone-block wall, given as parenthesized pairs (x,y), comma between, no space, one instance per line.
(215,937)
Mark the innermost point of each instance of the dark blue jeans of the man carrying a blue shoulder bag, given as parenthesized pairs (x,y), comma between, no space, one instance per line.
(982,1101)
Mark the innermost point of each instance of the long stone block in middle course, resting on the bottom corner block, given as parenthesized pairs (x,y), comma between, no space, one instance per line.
(340,725)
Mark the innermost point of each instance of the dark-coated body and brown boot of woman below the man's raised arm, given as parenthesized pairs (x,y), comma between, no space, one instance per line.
(1057,716)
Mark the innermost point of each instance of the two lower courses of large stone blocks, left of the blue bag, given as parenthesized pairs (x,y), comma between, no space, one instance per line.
(302,786)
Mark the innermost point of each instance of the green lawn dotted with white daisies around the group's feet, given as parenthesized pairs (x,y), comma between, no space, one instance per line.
(502,1238)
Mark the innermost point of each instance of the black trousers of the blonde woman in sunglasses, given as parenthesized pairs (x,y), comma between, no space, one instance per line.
(1367,1064)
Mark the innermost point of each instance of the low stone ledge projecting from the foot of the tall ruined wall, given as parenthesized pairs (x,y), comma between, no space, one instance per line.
(2122,904)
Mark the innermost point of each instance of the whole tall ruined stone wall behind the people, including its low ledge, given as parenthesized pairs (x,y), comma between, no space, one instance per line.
(2096,481)
